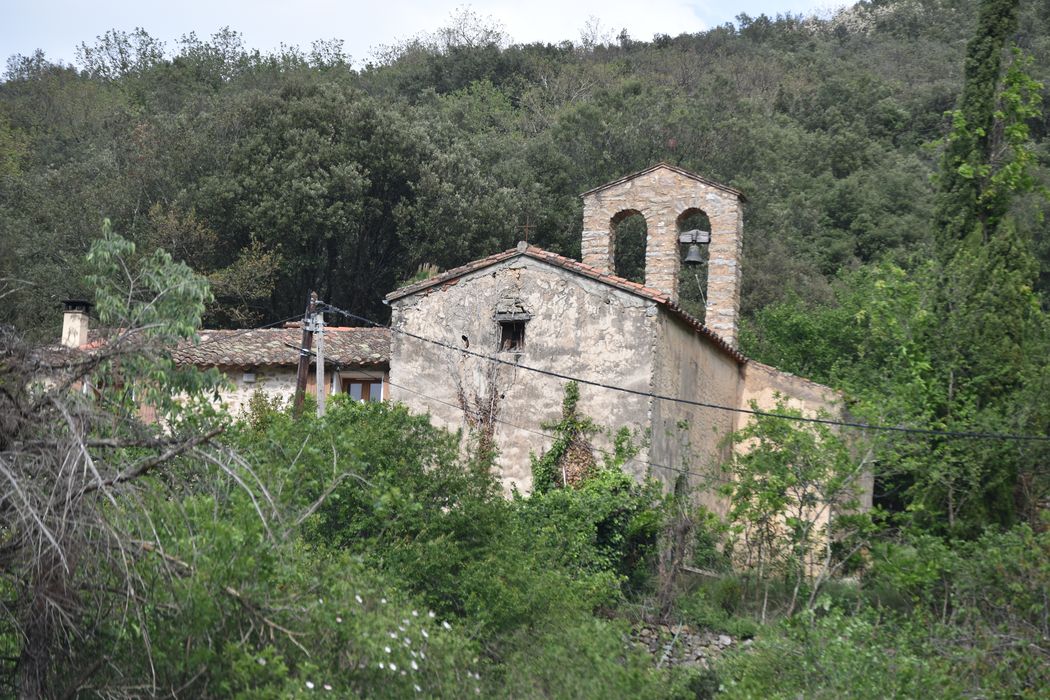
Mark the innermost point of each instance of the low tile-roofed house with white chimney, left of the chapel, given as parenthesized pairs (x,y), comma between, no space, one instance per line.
(356,360)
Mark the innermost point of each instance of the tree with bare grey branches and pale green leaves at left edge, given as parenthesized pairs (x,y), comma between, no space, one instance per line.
(74,450)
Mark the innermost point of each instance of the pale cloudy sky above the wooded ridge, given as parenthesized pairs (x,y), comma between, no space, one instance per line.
(59,27)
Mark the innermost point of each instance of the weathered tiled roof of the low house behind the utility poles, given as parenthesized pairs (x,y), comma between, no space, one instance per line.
(280,347)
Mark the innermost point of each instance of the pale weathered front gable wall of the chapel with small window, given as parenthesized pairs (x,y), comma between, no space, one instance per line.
(579,327)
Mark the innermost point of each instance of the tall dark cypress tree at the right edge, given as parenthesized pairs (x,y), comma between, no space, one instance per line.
(993,335)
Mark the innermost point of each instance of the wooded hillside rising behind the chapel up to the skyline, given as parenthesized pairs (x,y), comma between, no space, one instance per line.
(444,150)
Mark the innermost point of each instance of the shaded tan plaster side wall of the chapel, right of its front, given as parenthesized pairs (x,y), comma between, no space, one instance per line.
(692,438)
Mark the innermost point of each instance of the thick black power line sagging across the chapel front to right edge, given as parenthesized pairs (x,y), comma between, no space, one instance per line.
(704,405)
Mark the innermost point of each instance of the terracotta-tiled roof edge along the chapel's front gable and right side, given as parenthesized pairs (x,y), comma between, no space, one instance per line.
(452,277)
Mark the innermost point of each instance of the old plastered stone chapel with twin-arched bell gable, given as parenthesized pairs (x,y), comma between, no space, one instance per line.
(547,319)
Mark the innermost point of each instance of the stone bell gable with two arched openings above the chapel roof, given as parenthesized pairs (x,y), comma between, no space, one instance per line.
(662,196)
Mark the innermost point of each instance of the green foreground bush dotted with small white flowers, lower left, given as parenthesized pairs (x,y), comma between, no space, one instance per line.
(240,608)
